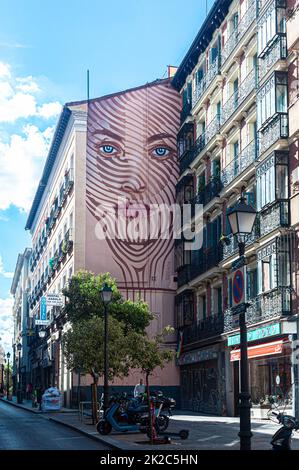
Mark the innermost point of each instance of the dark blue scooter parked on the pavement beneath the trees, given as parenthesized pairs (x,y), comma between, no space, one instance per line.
(126,413)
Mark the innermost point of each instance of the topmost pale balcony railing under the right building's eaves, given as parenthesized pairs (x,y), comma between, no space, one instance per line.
(244,24)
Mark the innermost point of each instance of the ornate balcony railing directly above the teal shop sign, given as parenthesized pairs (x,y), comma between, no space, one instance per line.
(272,304)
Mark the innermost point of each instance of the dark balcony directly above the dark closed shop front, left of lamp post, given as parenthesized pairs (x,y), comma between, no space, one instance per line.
(204,329)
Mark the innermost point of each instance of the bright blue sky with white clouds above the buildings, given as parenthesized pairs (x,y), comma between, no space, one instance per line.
(45,51)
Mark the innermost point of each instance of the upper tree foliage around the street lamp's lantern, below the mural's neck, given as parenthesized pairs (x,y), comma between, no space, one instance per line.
(84,302)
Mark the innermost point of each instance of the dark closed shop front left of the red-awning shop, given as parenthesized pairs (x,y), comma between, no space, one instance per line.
(202,380)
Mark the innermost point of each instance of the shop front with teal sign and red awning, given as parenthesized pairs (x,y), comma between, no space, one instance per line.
(270,369)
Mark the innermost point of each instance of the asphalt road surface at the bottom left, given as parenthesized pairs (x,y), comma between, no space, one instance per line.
(22,430)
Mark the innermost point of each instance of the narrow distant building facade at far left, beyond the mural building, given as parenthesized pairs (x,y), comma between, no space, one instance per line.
(20,289)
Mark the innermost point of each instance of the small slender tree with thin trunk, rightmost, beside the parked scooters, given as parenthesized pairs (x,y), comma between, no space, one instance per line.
(148,355)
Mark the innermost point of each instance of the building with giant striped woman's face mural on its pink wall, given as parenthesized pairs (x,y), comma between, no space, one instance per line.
(121,145)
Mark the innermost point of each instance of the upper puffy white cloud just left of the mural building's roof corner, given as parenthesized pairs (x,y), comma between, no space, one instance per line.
(19,98)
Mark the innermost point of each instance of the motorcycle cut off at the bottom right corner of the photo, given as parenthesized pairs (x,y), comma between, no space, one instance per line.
(282,439)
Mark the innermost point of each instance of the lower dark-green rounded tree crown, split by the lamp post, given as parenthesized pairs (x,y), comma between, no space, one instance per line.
(84,347)
